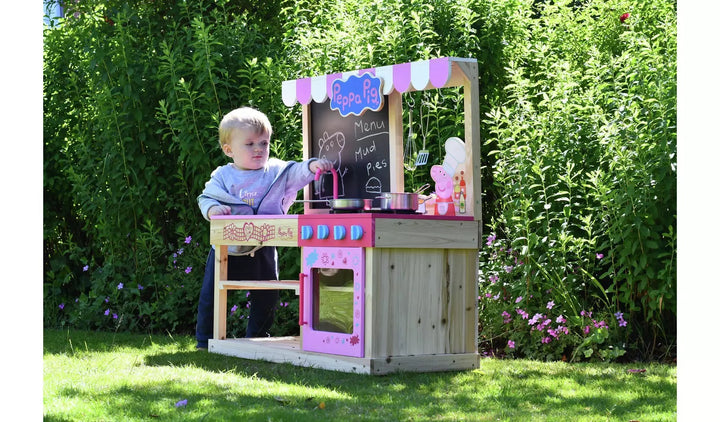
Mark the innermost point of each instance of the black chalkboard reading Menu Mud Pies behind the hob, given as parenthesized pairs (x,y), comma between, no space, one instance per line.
(358,146)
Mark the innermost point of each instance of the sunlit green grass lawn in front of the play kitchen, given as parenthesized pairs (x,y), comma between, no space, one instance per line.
(91,376)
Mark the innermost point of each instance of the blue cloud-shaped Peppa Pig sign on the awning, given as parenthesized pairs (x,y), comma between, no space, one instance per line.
(356,94)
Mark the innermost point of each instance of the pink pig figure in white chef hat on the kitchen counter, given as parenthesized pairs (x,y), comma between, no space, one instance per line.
(443,175)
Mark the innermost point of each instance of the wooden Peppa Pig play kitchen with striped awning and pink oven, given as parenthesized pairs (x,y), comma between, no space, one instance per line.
(389,285)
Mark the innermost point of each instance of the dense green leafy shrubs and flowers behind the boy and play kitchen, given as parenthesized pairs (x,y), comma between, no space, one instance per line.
(579,152)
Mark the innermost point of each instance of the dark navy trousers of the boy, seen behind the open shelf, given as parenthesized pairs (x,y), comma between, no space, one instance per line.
(262,302)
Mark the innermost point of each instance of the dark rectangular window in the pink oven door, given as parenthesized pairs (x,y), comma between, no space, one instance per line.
(333,300)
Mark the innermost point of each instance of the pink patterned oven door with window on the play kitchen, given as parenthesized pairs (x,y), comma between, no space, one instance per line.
(333,300)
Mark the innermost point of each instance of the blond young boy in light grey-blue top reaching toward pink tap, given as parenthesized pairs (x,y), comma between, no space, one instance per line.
(251,184)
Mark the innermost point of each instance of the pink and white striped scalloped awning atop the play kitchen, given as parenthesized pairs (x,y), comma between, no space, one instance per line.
(424,74)
